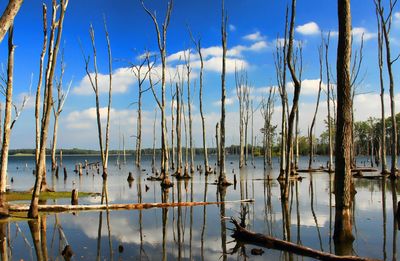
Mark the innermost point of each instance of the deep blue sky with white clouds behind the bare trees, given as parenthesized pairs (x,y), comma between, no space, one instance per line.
(253,27)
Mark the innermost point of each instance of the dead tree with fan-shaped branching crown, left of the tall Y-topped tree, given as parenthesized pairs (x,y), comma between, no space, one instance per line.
(140,77)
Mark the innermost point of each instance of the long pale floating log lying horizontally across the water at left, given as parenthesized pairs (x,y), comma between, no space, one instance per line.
(67,208)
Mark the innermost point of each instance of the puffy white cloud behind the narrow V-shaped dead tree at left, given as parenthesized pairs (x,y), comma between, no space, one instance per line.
(122,79)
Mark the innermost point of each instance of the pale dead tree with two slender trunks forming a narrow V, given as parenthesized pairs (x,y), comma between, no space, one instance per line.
(95,86)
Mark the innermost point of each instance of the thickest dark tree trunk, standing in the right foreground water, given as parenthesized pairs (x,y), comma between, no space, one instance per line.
(343,178)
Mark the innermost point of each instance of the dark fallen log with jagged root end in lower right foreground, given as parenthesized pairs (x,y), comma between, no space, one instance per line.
(246,236)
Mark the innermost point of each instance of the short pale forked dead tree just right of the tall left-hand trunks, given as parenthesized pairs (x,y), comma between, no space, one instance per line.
(61,98)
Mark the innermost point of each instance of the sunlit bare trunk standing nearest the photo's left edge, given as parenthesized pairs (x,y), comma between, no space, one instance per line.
(7,116)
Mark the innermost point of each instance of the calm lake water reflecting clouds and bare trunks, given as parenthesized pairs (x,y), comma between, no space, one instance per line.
(199,233)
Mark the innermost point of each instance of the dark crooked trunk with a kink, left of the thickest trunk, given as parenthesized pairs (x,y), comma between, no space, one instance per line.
(291,62)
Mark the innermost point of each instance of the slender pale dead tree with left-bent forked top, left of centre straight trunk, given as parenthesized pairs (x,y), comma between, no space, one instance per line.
(205,153)
